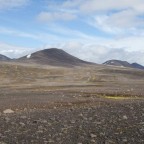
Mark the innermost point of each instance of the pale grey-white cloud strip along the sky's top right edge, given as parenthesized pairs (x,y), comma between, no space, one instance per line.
(108,5)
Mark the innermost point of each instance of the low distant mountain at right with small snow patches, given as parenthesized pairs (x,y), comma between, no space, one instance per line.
(123,64)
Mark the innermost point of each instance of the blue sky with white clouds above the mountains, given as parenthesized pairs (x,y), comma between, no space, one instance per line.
(92,30)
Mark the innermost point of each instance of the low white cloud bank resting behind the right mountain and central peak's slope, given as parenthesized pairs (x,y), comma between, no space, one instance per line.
(100,53)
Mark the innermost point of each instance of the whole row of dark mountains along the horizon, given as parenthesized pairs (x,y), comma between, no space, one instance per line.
(58,57)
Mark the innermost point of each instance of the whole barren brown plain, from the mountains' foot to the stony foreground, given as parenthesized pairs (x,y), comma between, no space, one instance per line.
(79,105)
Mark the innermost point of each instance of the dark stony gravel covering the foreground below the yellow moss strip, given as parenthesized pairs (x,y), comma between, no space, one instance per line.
(99,121)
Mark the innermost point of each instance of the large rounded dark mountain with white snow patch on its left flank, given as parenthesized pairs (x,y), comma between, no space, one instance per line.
(53,56)
